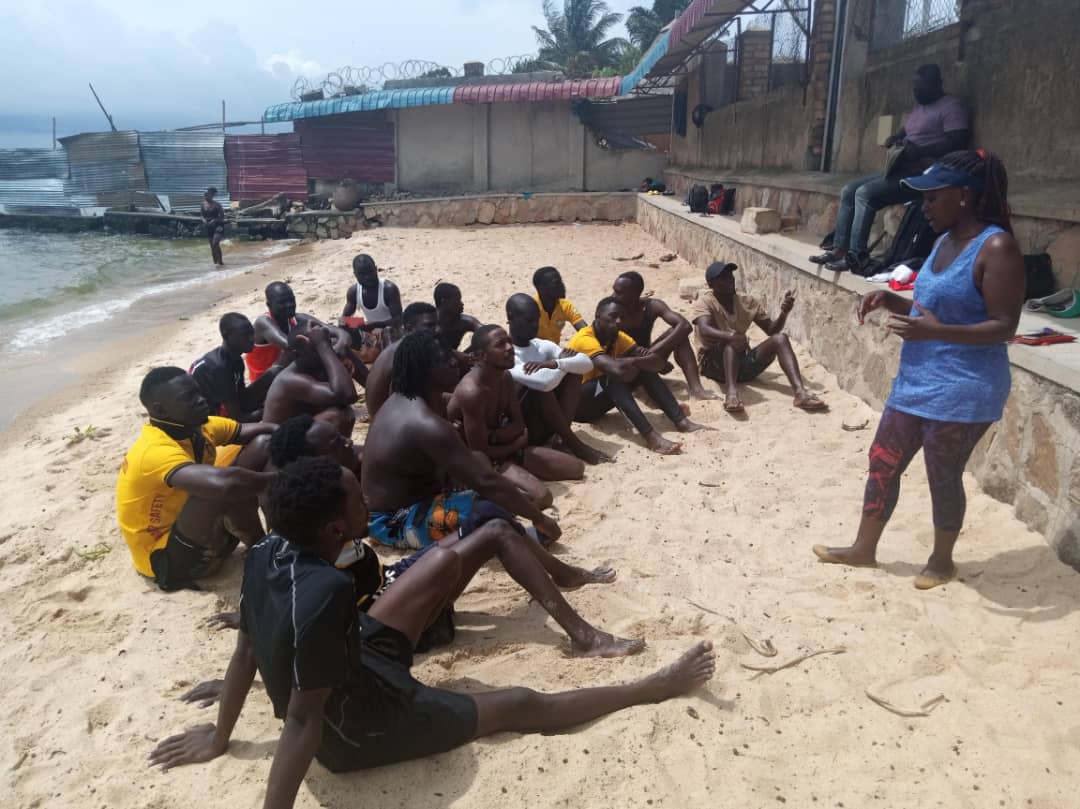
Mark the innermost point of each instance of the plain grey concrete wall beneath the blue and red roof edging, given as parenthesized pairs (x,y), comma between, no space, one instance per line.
(462,149)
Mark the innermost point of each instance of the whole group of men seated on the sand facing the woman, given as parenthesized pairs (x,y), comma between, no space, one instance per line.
(453,471)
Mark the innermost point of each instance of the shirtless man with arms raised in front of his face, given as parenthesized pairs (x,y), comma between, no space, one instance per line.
(315,382)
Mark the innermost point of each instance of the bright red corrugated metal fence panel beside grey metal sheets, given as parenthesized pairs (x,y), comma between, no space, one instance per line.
(263,166)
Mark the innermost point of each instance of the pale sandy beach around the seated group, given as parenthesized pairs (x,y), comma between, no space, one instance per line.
(714,544)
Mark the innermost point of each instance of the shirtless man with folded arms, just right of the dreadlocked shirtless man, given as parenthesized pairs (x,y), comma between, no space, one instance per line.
(485,403)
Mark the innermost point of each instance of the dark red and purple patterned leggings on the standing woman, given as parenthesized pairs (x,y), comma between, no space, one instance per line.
(947,447)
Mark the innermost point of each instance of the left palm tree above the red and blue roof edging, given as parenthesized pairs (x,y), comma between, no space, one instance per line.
(576,38)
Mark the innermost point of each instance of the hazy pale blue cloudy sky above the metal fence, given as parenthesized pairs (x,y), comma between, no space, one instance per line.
(161,65)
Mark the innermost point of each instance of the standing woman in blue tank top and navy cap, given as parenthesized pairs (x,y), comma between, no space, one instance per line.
(954,375)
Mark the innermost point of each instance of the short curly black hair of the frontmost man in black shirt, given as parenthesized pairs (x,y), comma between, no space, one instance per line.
(305,496)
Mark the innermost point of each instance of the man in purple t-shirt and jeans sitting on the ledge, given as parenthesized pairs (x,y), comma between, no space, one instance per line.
(939,124)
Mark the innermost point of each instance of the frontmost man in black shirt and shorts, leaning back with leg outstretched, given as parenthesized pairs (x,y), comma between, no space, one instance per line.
(341,681)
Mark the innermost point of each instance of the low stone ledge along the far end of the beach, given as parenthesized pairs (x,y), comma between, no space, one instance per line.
(505,210)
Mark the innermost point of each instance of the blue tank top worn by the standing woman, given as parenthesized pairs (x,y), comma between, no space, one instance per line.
(949,382)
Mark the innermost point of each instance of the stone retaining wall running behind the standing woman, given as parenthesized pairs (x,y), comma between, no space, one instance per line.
(1031,460)
